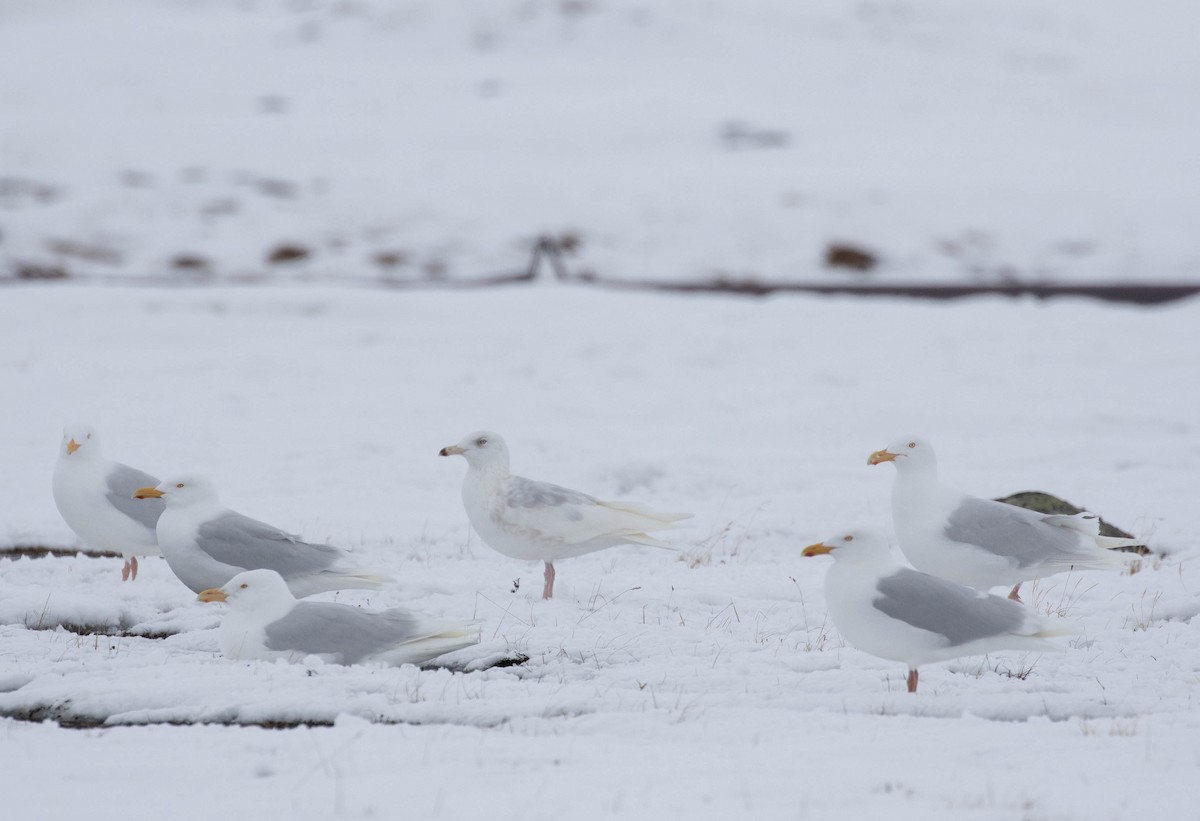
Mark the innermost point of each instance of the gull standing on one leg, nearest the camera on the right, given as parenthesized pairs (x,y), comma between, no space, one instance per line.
(904,615)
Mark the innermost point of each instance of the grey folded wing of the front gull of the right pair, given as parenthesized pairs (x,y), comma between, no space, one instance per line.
(950,610)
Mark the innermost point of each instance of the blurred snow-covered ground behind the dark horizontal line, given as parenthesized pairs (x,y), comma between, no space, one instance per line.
(371,140)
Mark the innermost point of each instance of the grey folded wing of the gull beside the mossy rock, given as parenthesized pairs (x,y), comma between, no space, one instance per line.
(1011,532)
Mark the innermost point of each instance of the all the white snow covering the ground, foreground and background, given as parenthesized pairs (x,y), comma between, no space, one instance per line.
(184,142)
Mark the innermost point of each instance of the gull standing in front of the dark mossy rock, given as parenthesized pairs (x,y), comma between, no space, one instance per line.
(981,543)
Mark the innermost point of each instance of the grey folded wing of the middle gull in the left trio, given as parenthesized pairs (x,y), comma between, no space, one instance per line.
(243,542)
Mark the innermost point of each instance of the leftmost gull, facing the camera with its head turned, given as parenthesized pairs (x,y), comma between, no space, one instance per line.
(93,496)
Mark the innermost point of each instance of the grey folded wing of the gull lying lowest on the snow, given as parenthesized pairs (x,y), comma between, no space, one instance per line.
(332,630)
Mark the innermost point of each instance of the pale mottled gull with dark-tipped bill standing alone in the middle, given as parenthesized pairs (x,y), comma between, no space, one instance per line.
(536,520)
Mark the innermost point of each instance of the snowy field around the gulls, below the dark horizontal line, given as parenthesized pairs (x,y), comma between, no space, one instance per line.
(697,684)
